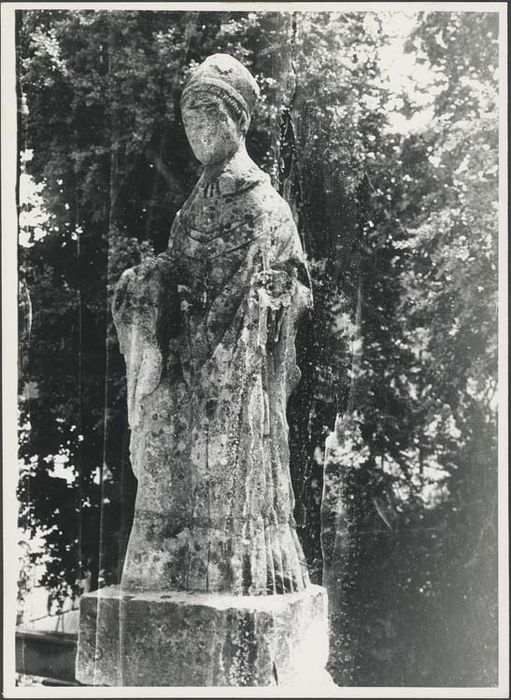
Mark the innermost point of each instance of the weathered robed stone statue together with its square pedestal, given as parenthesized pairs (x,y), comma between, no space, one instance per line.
(207,330)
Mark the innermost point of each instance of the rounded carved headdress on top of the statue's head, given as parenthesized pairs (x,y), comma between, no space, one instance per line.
(223,75)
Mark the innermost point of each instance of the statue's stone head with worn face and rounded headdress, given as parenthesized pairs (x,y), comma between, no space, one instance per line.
(216,106)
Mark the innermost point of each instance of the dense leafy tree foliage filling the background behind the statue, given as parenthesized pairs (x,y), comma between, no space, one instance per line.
(381,131)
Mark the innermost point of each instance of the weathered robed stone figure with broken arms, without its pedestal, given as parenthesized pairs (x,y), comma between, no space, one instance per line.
(207,330)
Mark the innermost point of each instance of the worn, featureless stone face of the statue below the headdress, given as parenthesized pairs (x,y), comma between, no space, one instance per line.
(213,133)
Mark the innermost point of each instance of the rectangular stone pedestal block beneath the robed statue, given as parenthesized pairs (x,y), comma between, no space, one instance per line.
(193,639)
